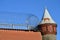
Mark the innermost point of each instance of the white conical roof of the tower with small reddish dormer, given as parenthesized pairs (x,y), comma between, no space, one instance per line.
(47,18)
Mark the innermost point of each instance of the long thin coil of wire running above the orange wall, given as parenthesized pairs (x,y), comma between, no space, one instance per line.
(29,20)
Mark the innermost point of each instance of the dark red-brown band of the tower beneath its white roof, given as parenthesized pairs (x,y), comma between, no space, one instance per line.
(47,28)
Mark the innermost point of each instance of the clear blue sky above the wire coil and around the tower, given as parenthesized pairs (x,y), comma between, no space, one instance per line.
(35,7)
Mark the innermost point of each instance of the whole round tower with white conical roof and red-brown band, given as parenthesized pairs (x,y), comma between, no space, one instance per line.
(47,27)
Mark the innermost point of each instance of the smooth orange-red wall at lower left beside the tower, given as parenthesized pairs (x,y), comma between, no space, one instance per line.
(19,35)
